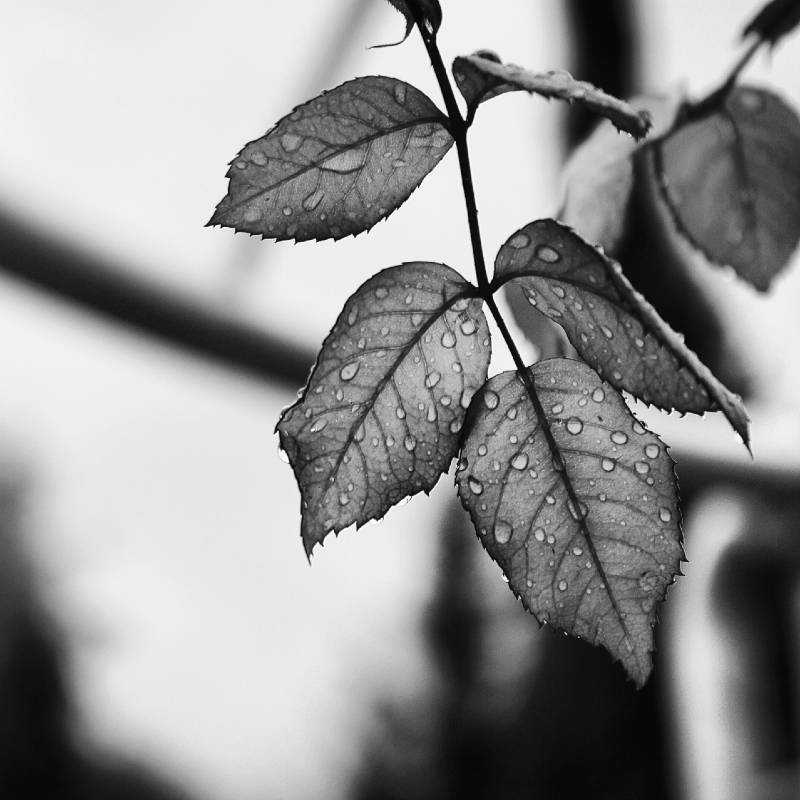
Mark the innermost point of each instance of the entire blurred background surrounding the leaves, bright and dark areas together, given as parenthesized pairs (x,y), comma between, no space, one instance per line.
(161,632)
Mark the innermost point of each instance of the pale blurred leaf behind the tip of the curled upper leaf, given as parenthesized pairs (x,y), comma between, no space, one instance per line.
(598,178)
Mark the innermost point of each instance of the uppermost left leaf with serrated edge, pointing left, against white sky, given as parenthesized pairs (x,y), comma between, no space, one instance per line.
(336,165)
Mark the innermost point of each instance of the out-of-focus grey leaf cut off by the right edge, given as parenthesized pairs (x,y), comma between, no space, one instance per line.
(731,180)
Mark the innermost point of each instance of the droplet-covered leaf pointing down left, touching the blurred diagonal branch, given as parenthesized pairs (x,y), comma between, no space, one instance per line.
(381,415)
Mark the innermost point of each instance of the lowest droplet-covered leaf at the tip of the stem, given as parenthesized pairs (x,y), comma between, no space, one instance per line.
(577,503)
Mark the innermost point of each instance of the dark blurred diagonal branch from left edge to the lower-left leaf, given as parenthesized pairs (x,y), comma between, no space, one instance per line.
(113,291)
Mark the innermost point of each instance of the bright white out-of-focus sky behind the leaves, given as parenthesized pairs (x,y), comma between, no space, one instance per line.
(165,527)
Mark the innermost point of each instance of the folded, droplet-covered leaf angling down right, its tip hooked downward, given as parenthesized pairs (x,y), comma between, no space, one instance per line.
(609,323)
